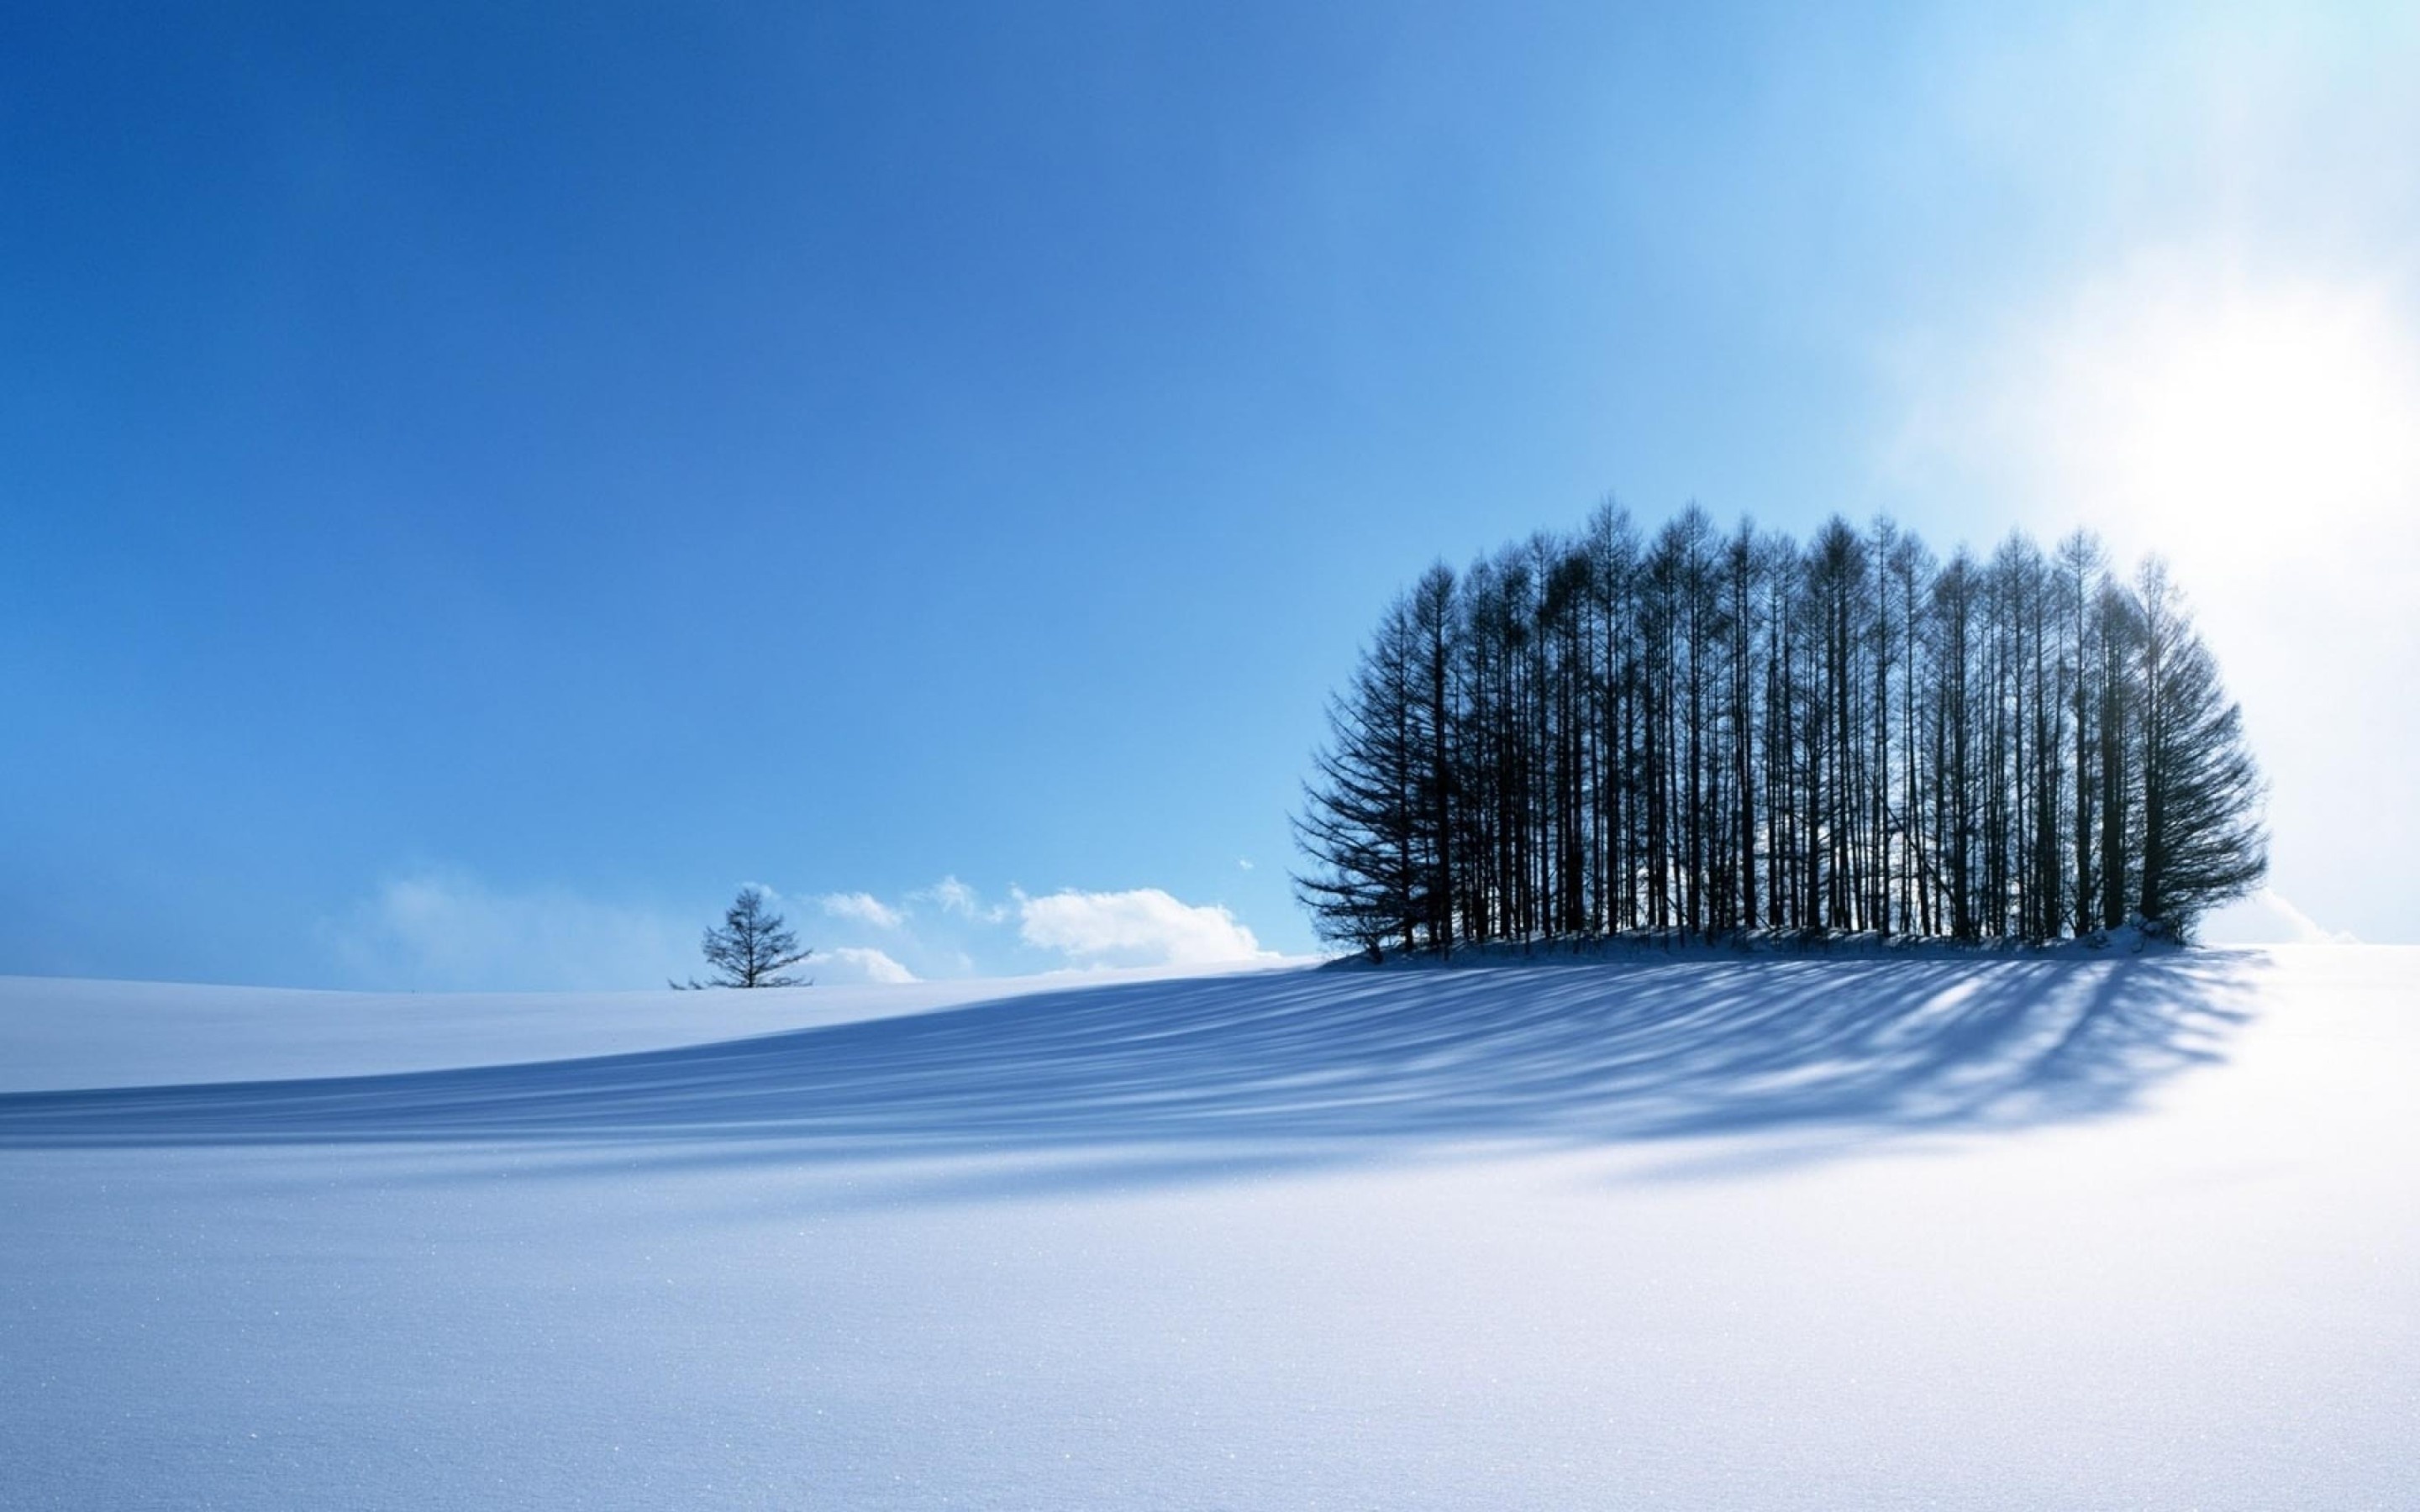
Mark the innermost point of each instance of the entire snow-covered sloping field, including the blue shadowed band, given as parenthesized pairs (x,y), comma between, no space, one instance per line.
(1768,1233)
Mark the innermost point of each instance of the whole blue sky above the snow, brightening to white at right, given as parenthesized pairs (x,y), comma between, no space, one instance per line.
(485,483)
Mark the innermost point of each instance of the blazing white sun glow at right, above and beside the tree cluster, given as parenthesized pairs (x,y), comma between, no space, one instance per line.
(2259,429)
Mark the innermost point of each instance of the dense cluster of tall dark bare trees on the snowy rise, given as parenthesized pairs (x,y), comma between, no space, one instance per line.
(1707,734)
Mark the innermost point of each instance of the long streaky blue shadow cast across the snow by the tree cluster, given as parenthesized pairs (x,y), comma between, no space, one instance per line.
(1216,1075)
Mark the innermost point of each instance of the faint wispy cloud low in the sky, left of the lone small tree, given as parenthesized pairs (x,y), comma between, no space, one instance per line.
(449,933)
